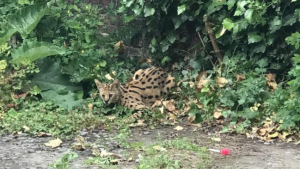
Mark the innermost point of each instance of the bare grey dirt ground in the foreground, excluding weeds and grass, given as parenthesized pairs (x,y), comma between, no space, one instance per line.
(24,152)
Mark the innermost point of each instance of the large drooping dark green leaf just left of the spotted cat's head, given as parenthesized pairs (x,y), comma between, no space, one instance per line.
(55,86)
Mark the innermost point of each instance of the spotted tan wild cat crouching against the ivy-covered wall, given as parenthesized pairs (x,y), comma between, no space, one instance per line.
(147,86)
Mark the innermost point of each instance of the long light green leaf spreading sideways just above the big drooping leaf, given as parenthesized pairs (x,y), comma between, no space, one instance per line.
(32,51)
